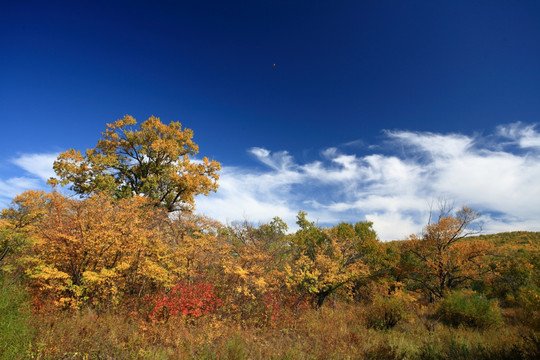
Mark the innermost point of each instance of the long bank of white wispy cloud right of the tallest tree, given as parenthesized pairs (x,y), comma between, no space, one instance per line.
(393,191)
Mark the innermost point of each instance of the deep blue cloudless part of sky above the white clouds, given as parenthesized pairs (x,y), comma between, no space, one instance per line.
(345,71)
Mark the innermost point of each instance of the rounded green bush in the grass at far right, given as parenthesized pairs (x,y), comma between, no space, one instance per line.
(470,309)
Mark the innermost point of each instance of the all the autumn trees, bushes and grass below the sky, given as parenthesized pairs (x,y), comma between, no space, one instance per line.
(128,271)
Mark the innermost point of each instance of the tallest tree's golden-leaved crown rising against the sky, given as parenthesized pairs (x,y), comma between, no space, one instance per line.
(153,160)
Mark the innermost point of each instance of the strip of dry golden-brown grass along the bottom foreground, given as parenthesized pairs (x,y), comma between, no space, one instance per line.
(326,334)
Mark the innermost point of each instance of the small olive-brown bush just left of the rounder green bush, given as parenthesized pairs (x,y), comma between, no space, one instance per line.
(386,312)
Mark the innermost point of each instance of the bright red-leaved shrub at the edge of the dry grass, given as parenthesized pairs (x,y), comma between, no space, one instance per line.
(188,300)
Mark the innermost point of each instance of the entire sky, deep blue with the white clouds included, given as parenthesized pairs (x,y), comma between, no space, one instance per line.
(373,110)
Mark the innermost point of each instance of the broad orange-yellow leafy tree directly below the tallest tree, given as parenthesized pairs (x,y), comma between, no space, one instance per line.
(94,251)
